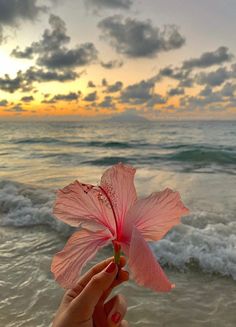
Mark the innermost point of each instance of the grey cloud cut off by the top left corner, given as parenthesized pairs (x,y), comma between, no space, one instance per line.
(11,11)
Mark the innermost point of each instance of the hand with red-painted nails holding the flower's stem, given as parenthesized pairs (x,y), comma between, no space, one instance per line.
(84,306)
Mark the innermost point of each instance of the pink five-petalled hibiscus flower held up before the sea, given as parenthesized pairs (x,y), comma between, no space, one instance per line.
(109,213)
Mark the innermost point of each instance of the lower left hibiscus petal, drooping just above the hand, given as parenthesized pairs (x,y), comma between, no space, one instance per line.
(81,247)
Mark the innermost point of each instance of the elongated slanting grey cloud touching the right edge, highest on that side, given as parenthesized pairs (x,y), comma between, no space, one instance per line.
(208,59)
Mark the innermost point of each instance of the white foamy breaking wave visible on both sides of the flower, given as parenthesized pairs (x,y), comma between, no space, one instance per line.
(203,240)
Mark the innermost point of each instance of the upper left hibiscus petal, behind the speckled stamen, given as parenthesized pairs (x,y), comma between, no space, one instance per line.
(78,203)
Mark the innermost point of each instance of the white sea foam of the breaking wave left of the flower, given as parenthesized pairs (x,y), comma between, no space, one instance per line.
(23,206)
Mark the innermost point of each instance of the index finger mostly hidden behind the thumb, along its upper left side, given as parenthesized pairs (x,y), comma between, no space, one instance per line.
(83,281)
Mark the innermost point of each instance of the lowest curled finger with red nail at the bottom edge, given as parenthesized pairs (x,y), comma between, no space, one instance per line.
(115,309)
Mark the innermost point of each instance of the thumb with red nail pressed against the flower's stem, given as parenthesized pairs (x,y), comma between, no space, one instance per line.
(86,301)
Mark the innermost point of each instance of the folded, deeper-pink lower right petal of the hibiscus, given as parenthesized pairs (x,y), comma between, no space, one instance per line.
(144,267)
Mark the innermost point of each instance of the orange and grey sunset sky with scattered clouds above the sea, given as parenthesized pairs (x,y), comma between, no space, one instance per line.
(90,59)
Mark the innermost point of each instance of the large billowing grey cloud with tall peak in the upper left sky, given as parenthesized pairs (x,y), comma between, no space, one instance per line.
(52,52)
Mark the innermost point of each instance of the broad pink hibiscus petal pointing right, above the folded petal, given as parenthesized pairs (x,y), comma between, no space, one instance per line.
(155,215)
